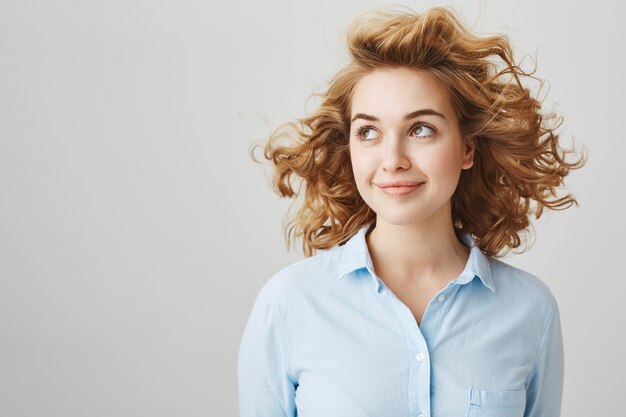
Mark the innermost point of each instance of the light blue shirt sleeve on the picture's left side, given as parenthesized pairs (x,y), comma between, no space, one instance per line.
(266,388)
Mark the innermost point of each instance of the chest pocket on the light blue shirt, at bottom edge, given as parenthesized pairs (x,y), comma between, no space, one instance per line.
(492,403)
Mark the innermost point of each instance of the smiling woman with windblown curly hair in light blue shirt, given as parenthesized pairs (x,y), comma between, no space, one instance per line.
(422,165)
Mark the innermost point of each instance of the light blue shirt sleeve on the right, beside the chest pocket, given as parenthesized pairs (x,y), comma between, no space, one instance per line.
(544,390)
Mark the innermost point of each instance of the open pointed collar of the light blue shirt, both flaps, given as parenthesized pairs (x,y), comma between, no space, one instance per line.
(355,255)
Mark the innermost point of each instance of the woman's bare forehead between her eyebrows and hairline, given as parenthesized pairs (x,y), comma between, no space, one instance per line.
(386,93)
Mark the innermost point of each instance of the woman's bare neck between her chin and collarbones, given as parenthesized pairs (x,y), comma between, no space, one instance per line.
(419,253)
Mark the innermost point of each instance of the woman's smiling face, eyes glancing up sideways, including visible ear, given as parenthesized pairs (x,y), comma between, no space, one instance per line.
(406,147)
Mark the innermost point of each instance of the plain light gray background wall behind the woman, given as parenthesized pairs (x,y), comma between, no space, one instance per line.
(135,231)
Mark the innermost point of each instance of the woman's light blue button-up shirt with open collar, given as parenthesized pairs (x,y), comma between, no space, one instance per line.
(327,338)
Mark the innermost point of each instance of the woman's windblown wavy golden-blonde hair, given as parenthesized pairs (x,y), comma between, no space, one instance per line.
(518,162)
